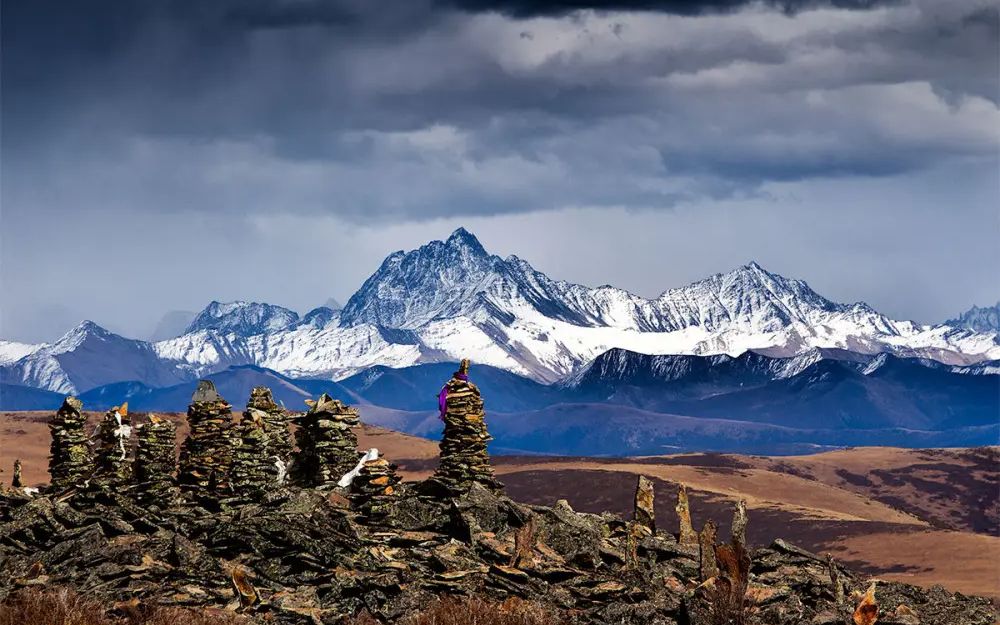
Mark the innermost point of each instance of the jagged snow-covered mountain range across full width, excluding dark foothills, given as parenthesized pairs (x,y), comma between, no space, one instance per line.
(452,299)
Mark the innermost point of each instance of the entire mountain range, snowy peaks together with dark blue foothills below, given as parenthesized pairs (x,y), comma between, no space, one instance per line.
(747,346)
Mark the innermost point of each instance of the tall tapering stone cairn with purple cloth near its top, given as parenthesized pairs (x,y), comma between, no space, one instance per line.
(464,458)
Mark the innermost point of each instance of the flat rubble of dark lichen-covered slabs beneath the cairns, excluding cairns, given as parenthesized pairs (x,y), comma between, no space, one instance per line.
(304,556)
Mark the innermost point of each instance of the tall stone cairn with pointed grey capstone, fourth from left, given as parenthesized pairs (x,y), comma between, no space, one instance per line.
(206,456)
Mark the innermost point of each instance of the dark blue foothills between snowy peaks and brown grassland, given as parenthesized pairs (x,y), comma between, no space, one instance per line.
(630,403)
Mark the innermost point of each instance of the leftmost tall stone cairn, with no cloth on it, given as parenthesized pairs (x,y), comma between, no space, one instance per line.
(70,459)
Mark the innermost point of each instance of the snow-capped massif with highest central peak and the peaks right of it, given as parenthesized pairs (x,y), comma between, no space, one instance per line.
(459,299)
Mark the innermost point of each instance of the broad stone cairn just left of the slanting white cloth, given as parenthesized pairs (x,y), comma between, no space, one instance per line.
(328,446)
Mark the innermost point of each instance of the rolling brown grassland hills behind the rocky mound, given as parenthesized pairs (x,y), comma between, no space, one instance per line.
(918,516)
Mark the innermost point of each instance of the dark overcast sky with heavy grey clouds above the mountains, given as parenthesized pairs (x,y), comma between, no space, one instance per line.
(158,155)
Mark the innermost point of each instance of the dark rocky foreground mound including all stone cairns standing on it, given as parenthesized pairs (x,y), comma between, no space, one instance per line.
(296,536)
